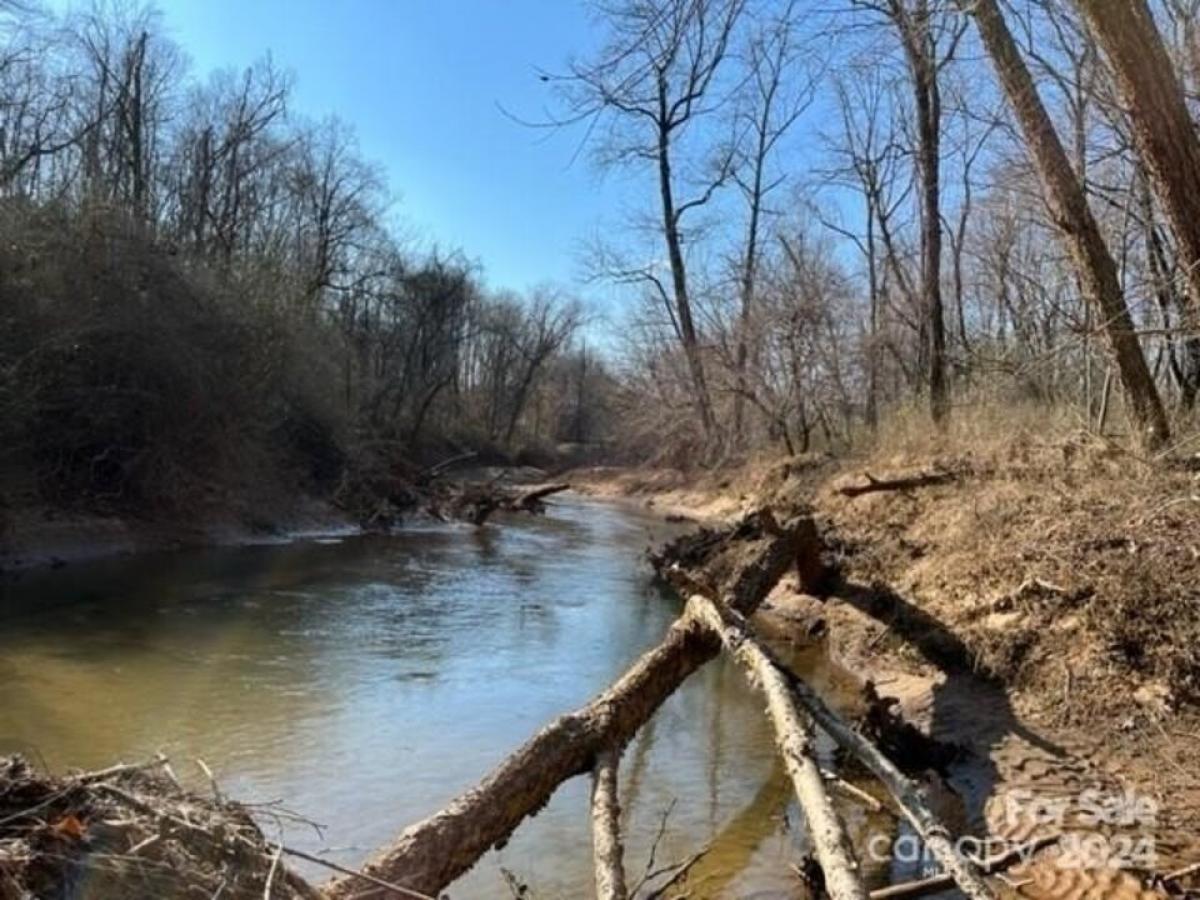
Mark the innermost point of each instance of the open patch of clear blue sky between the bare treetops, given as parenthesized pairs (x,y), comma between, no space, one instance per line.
(421,81)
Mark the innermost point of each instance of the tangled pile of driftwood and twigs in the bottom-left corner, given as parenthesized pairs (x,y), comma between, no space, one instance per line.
(131,832)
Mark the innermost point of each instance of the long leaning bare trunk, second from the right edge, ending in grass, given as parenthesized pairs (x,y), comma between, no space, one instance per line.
(1065,196)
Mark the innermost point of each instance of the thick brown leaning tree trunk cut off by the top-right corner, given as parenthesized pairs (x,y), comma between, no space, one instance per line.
(1162,127)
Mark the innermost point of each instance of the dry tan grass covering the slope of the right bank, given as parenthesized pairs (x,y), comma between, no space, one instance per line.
(1057,554)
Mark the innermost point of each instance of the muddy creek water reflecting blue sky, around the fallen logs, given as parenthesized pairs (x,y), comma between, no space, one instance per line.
(367,681)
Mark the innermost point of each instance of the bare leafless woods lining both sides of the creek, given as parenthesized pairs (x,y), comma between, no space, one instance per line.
(853,208)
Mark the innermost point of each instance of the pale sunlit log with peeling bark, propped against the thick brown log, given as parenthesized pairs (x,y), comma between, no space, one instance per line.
(795,737)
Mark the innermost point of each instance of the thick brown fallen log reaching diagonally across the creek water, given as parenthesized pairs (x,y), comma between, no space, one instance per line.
(740,572)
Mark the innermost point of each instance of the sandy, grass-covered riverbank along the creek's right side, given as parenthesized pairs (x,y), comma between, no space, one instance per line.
(1033,599)
